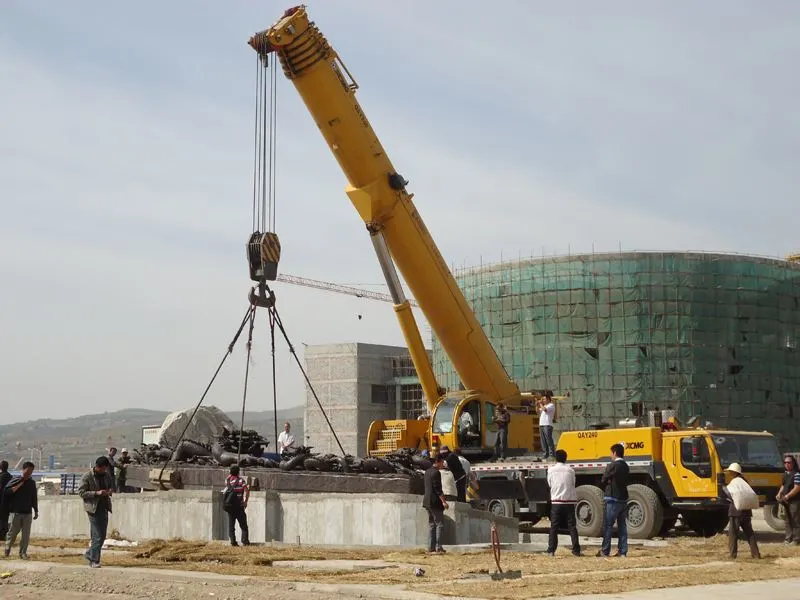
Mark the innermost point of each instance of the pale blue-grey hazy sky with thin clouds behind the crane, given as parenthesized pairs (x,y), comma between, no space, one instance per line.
(126,134)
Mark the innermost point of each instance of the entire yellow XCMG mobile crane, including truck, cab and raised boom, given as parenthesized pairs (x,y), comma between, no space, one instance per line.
(674,470)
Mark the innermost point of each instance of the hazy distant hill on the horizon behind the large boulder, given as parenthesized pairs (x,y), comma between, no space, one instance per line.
(77,441)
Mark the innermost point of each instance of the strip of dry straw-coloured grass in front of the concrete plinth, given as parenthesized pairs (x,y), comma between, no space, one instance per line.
(687,561)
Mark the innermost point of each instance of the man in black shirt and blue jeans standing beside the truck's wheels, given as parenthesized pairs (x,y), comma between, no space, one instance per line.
(615,496)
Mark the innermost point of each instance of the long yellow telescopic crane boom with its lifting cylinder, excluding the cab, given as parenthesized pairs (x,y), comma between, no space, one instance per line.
(379,194)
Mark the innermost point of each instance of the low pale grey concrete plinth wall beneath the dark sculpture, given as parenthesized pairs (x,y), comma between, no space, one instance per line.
(320,519)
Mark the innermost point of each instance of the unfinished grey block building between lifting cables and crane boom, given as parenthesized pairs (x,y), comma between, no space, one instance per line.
(357,384)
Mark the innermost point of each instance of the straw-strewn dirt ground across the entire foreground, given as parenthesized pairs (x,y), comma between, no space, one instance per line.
(684,561)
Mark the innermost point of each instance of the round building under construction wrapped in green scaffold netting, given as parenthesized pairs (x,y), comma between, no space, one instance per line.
(713,335)
